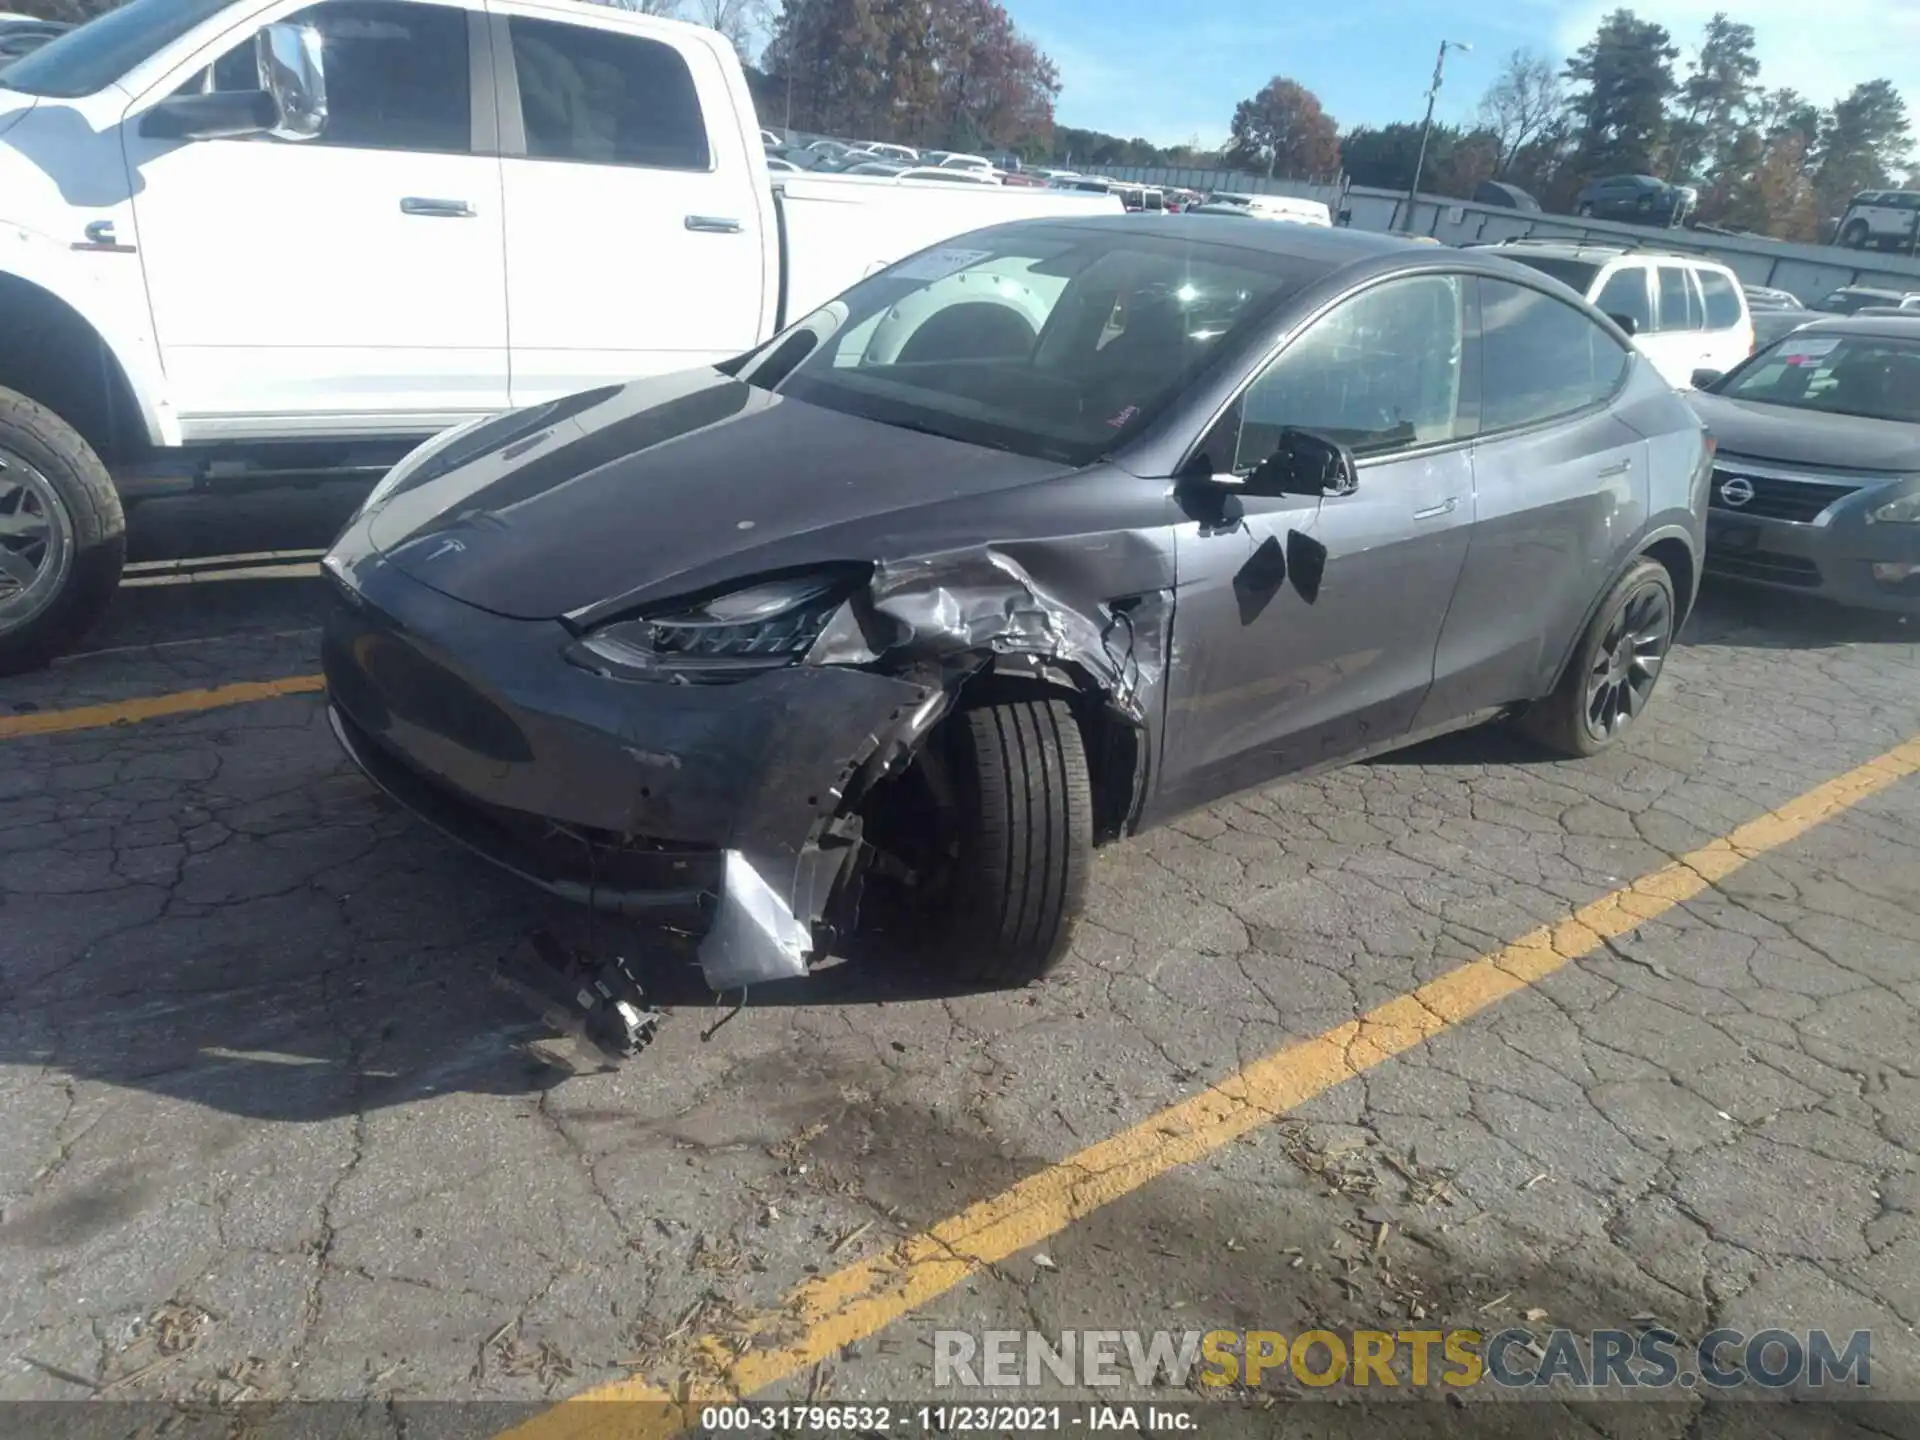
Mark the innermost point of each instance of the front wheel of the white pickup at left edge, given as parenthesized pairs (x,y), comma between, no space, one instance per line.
(62,535)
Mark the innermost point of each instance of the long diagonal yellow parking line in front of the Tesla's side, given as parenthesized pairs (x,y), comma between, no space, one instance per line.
(867,1297)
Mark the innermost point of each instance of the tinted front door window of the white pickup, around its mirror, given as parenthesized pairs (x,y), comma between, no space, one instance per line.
(396,76)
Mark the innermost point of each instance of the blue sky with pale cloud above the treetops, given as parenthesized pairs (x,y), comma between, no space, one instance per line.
(1174,72)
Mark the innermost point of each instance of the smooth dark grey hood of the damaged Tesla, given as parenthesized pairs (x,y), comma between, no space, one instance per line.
(623,492)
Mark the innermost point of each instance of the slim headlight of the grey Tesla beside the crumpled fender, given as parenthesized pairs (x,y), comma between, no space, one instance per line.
(761,627)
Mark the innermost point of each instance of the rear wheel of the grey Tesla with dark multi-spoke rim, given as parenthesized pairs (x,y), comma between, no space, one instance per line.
(1616,671)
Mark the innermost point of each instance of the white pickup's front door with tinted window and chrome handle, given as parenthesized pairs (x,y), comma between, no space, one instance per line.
(352,283)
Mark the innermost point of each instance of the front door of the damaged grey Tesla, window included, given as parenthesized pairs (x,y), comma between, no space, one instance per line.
(1307,627)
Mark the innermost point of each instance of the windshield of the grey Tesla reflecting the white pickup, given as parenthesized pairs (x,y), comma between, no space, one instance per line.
(1047,343)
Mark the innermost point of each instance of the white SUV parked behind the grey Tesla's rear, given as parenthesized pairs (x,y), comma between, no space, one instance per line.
(1687,314)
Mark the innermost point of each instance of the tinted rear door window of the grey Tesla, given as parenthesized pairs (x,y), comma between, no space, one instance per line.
(1541,358)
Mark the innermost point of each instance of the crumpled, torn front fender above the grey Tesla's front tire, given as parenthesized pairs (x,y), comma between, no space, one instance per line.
(992,600)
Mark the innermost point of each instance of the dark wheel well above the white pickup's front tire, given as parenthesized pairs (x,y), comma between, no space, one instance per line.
(59,360)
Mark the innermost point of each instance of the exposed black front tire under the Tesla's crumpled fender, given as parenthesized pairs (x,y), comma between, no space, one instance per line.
(1024,840)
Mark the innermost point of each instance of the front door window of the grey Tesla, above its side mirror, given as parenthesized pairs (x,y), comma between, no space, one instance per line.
(1378,373)
